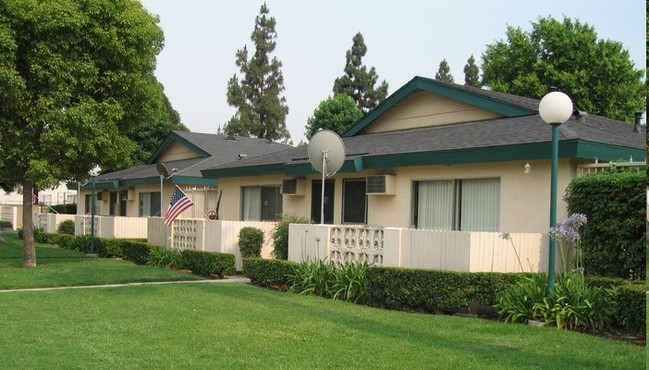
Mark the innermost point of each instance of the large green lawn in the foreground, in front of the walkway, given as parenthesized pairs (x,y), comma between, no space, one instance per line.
(235,326)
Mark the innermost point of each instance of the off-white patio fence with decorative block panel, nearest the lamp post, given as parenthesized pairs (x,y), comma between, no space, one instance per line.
(426,249)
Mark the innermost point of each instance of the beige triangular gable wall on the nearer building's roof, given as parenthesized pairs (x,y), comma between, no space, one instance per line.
(422,109)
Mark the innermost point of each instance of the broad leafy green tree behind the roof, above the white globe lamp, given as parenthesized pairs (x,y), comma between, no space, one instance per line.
(598,74)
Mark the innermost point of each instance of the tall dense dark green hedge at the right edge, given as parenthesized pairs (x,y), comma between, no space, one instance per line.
(614,239)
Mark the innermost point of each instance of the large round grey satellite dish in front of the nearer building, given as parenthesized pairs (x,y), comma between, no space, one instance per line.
(326,152)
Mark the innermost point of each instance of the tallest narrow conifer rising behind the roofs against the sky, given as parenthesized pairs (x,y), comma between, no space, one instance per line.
(261,110)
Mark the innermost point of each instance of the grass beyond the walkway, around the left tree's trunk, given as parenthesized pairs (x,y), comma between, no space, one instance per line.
(60,267)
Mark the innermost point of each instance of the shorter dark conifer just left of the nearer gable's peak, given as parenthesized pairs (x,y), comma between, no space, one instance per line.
(358,82)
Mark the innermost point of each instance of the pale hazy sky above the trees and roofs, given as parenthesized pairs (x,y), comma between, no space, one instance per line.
(404,39)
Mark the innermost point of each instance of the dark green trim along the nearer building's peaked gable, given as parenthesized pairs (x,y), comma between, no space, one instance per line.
(436,87)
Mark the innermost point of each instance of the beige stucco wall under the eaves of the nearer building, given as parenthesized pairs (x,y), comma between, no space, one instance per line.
(524,197)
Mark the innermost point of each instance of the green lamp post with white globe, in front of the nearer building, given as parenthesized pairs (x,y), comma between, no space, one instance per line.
(555,108)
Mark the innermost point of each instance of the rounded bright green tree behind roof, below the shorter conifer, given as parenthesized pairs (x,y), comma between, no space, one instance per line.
(336,113)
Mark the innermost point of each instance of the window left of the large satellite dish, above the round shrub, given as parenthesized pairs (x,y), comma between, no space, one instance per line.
(261,203)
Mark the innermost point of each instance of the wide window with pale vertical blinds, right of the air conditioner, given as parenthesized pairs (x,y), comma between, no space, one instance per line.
(468,205)
